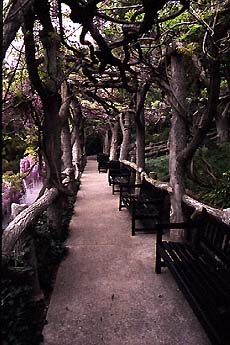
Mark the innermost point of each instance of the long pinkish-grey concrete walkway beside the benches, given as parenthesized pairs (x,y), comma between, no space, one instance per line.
(106,291)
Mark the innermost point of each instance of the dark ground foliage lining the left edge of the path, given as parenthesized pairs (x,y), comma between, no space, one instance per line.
(22,318)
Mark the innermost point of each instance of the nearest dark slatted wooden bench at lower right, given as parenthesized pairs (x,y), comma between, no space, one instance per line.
(201,267)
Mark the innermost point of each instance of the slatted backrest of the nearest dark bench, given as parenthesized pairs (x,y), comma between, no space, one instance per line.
(214,236)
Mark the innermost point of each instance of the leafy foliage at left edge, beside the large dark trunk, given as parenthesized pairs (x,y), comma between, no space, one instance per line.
(19,131)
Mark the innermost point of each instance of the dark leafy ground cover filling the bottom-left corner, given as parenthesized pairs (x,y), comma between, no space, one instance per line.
(17,309)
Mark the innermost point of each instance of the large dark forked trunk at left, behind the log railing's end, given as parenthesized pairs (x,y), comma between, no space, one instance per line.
(51,99)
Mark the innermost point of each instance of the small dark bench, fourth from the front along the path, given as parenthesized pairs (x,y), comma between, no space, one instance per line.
(118,174)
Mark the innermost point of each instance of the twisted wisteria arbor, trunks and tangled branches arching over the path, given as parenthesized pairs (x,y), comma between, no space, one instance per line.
(124,47)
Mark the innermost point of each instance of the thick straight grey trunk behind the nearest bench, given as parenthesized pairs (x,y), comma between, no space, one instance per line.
(178,140)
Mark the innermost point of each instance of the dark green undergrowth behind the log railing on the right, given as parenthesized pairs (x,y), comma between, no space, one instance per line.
(216,195)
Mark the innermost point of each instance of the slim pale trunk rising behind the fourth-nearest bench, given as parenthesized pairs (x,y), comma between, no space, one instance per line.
(125,124)
